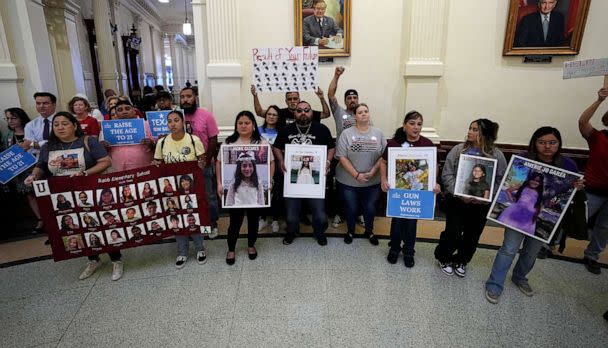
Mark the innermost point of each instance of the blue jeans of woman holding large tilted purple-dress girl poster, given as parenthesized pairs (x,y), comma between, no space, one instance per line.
(504,260)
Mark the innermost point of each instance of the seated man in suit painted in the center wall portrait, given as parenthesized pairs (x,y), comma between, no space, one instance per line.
(319,28)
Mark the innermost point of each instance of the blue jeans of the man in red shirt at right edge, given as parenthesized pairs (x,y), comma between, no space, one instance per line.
(597,204)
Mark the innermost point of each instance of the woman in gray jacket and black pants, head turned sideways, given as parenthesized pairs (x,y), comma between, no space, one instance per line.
(465,216)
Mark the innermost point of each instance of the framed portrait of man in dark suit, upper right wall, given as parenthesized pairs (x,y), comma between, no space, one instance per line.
(545,27)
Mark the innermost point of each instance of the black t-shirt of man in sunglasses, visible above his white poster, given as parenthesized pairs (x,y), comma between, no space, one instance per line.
(318,134)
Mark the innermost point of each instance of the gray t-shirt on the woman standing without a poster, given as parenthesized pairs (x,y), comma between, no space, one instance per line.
(363,151)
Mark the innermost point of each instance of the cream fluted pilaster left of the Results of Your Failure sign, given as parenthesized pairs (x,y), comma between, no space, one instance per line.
(223,68)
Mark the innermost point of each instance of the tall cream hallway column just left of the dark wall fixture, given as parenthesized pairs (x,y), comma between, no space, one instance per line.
(106,54)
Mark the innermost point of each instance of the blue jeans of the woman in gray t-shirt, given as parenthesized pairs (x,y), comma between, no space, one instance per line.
(364,197)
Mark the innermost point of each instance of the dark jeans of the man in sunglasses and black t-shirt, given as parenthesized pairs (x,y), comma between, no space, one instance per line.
(319,219)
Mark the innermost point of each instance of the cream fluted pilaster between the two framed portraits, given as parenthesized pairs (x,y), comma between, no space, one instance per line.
(424,60)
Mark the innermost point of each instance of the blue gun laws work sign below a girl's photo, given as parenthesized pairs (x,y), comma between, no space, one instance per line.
(410,204)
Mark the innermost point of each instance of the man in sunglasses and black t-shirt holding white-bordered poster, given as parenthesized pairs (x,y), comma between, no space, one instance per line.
(304,132)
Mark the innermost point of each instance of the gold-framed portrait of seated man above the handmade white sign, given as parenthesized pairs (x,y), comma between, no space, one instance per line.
(325,24)
